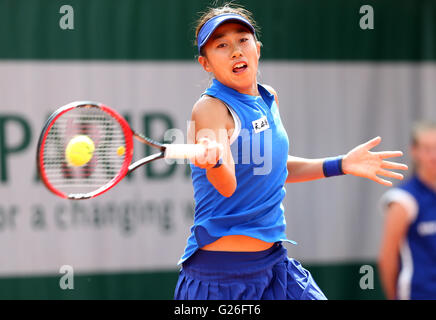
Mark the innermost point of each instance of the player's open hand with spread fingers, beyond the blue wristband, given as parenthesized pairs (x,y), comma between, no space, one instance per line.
(362,162)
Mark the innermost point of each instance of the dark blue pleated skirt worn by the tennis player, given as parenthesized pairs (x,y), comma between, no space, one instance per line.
(263,275)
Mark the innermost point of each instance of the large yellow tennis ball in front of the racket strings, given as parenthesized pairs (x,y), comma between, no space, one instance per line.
(79,150)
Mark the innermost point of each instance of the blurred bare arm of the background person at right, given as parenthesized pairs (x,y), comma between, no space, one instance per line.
(397,221)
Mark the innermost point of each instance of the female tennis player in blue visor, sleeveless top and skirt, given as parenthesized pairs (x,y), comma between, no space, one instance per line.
(234,250)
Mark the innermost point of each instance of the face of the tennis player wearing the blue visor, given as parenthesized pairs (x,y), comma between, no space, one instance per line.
(232,55)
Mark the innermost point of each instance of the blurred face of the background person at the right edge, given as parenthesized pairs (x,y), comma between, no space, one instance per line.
(424,153)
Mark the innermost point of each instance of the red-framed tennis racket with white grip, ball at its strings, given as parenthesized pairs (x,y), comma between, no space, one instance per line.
(86,148)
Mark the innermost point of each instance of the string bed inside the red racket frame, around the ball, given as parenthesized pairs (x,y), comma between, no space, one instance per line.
(106,162)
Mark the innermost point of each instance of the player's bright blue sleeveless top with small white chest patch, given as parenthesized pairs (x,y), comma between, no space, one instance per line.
(260,153)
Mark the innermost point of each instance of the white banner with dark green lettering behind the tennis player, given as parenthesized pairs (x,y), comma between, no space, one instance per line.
(143,223)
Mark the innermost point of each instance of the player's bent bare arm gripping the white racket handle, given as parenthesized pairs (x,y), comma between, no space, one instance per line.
(210,124)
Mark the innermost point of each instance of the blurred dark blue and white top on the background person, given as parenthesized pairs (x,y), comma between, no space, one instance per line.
(417,278)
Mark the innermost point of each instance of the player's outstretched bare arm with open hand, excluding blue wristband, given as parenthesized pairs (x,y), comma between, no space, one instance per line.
(360,161)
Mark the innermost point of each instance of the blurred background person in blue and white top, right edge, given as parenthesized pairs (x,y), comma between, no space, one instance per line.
(407,259)
